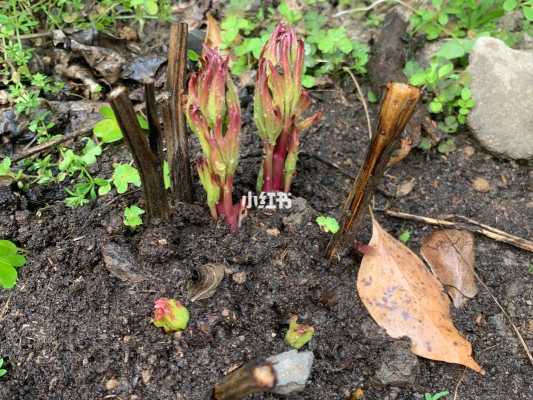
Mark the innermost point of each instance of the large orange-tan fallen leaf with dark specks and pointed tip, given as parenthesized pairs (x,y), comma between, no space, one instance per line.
(405,299)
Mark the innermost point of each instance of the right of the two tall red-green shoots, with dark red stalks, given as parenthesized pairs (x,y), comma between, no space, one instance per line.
(279,105)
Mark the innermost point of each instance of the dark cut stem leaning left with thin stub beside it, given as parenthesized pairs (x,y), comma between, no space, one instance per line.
(148,162)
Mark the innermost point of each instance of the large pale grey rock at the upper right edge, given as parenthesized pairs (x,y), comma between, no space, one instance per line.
(502,87)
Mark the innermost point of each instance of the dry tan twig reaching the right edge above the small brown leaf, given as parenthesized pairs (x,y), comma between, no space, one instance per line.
(469,225)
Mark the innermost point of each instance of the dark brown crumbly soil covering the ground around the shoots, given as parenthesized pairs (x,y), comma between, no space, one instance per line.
(69,326)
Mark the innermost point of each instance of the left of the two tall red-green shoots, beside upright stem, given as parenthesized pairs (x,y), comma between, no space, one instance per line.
(214,115)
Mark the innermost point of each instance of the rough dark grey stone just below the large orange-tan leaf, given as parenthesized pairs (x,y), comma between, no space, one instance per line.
(398,366)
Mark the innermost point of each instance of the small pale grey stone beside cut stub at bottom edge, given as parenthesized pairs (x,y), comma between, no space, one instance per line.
(292,370)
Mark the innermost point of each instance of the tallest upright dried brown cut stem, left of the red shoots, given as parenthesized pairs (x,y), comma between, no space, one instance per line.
(175,130)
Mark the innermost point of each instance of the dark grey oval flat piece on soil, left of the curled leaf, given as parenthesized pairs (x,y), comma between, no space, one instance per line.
(120,263)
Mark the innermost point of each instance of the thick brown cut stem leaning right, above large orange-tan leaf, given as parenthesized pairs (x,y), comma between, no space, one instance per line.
(396,110)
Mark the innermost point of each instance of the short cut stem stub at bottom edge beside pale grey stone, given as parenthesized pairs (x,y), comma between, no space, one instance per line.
(252,378)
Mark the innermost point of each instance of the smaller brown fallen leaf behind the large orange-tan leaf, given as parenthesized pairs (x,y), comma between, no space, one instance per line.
(450,254)
